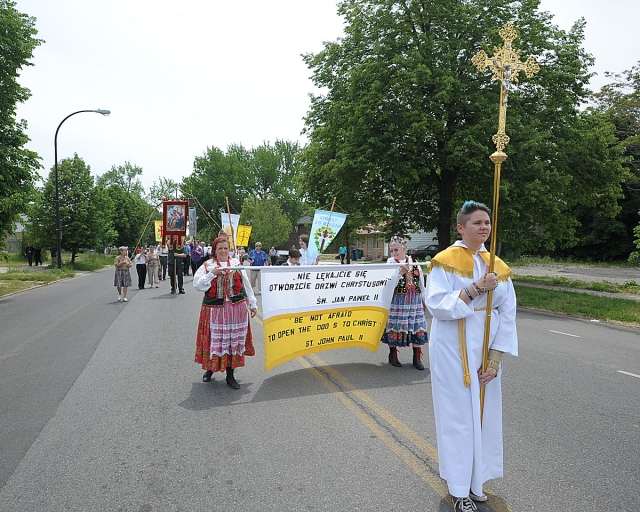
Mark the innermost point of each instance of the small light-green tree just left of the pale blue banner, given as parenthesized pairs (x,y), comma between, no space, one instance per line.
(269,224)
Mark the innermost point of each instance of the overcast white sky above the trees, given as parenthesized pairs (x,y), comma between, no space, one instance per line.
(179,77)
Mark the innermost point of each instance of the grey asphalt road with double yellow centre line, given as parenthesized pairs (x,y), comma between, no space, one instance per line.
(103,409)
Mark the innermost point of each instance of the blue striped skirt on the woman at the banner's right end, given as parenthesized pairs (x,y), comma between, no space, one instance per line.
(406,324)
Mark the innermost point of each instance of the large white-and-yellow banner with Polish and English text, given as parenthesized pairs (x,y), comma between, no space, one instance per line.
(309,309)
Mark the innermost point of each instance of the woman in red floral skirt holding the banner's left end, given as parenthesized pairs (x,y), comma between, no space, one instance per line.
(224,331)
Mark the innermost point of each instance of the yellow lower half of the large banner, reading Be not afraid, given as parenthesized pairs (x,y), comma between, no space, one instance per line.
(293,335)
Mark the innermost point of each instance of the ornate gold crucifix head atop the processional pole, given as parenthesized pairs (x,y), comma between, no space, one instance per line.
(505,66)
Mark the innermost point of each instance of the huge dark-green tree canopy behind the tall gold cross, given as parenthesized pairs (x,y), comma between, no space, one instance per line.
(403,133)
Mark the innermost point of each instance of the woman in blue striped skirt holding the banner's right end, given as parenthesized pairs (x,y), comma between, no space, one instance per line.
(407,324)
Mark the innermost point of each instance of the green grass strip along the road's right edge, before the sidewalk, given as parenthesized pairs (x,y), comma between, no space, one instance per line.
(580,304)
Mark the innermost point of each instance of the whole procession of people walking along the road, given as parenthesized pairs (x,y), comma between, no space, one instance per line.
(455,292)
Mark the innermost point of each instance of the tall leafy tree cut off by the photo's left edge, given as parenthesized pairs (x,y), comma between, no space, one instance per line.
(18,165)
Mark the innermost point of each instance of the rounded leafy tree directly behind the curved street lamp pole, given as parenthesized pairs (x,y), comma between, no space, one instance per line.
(84,210)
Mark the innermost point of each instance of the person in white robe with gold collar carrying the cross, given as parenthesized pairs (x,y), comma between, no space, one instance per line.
(470,453)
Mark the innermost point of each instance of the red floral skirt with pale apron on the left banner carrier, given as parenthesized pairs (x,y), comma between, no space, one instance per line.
(224,336)
